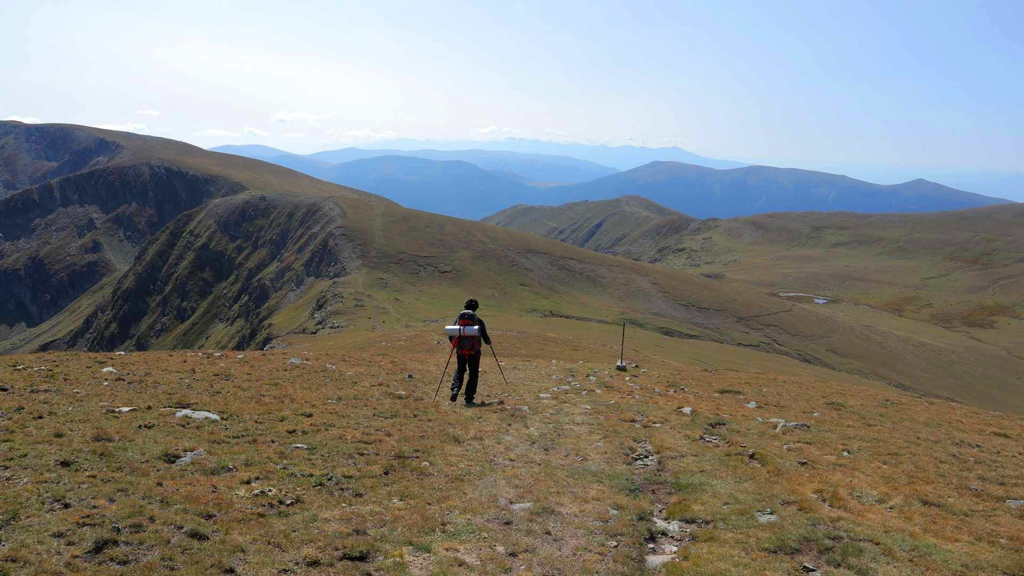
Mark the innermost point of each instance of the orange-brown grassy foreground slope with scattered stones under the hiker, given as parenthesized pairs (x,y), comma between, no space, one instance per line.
(883,483)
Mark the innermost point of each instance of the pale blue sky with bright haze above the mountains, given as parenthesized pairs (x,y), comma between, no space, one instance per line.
(920,85)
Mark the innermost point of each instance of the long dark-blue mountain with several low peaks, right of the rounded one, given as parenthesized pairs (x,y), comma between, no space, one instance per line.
(708,193)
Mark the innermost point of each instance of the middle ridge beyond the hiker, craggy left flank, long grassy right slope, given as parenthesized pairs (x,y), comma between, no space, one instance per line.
(288,255)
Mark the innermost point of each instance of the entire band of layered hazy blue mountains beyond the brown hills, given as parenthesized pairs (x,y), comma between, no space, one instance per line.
(474,184)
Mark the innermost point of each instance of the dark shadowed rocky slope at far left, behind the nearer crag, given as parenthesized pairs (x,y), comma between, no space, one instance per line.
(61,237)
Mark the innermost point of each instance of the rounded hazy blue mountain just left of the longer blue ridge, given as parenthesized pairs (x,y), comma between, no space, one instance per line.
(452,188)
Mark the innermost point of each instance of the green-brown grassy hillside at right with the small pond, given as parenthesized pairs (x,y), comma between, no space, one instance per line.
(953,279)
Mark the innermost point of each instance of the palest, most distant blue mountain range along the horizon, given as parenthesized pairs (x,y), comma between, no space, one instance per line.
(619,157)
